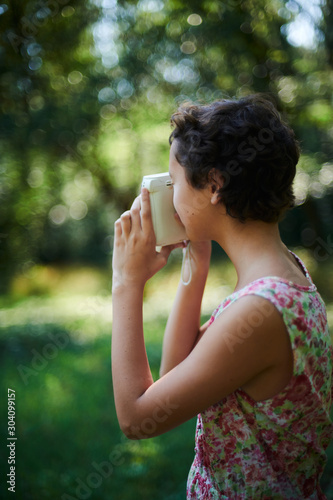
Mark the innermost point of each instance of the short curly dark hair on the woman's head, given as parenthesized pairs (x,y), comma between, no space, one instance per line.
(247,143)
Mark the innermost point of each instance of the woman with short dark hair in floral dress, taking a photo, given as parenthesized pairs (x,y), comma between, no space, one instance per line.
(259,373)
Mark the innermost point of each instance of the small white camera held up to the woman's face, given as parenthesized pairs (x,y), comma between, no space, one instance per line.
(167,229)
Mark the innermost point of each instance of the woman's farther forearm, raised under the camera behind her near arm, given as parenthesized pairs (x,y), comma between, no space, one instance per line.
(183,326)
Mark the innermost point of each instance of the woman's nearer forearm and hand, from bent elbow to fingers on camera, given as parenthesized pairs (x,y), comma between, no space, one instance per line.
(135,260)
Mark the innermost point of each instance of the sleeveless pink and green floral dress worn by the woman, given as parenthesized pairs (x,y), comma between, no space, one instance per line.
(272,449)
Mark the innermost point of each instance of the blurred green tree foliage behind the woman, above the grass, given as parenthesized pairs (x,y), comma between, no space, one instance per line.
(87,89)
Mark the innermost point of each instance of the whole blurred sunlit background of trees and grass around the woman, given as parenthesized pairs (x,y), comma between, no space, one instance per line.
(87,90)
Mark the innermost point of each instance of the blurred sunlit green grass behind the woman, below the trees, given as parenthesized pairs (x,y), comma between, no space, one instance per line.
(55,354)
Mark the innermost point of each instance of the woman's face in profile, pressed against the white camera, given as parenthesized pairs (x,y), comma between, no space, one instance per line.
(192,205)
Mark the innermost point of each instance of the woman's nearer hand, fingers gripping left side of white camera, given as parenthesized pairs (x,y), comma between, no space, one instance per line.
(135,259)
